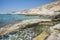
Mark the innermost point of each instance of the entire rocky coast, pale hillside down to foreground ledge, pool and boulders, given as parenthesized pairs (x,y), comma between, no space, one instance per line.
(36,29)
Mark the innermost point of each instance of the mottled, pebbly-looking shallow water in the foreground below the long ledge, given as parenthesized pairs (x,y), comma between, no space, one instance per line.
(22,34)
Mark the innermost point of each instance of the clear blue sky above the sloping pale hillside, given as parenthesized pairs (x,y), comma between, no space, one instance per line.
(18,5)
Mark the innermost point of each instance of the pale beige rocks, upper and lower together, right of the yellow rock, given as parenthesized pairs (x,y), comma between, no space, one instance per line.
(55,33)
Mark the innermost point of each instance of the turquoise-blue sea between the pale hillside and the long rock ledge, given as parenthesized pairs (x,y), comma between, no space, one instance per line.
(6,19)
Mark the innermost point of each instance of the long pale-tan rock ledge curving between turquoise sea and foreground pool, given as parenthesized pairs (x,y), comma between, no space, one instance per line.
(20,25)
